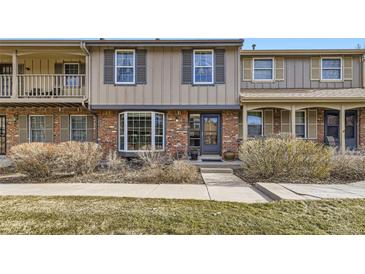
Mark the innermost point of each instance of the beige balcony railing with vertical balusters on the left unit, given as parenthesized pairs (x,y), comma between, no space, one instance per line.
(44,85)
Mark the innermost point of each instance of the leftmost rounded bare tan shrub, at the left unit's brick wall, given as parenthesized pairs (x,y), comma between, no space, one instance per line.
(35,159)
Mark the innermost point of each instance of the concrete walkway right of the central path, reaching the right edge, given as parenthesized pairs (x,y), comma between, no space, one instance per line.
(312,191)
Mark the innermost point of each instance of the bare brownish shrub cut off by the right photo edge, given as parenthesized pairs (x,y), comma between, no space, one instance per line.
(349,166)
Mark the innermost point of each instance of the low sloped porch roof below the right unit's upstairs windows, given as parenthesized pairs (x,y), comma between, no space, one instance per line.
(351,95)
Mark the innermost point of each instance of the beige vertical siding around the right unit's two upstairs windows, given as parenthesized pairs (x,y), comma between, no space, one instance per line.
(298,75)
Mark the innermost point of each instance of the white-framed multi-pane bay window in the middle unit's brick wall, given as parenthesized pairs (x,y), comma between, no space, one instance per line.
(141,131)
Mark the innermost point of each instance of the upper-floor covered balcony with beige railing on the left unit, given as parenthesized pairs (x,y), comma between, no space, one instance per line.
(41,74)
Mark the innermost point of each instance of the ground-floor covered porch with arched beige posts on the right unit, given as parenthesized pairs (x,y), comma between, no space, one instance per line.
(335,117)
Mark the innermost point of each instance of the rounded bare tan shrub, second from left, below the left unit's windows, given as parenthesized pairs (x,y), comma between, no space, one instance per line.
(78,158)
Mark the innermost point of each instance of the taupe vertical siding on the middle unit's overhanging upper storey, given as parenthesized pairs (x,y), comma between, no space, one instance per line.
(164,82)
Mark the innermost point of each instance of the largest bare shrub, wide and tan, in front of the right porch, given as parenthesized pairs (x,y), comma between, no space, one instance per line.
(283,157)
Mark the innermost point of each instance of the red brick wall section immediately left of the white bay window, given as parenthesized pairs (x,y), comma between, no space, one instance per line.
(108,130)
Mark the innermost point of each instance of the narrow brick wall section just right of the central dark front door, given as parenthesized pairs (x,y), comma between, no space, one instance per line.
(230,130)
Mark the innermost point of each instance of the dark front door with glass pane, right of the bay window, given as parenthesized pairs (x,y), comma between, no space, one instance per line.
(210,134)
